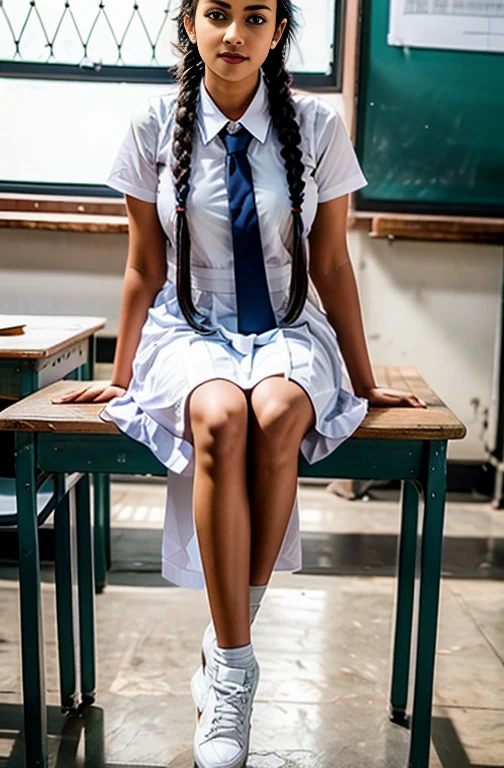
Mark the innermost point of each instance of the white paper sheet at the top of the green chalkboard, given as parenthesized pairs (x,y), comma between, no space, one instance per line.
(467,25)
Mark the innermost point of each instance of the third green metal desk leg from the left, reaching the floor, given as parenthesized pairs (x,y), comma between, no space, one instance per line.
(86,591)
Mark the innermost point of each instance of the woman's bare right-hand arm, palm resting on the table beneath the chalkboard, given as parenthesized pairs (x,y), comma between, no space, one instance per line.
(333,276)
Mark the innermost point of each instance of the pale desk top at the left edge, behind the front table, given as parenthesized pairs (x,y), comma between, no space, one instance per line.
(45,335)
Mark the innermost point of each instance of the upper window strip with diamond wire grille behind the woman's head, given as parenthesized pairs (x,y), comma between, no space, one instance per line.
(131,41)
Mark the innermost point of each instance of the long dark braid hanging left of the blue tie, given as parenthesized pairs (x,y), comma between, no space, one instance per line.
(189,74)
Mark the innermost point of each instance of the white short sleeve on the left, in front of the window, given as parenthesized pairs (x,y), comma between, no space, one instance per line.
(134,171)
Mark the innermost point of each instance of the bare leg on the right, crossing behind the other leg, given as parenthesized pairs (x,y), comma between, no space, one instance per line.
(280,415)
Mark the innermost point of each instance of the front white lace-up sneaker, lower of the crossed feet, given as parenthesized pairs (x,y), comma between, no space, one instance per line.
(223,732)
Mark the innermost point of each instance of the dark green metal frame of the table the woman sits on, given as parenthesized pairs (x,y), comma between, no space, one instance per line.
(420,464)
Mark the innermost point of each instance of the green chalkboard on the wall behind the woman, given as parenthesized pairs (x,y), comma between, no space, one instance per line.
(430,125)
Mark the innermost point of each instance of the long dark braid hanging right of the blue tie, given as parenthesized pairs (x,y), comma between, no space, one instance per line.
(283,116)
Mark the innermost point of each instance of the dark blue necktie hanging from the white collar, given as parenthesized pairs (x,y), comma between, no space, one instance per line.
(255,313)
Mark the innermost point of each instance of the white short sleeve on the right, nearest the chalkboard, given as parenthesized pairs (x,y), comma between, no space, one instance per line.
(337,169)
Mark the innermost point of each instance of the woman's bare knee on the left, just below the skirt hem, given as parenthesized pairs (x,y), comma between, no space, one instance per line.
(219,421)
